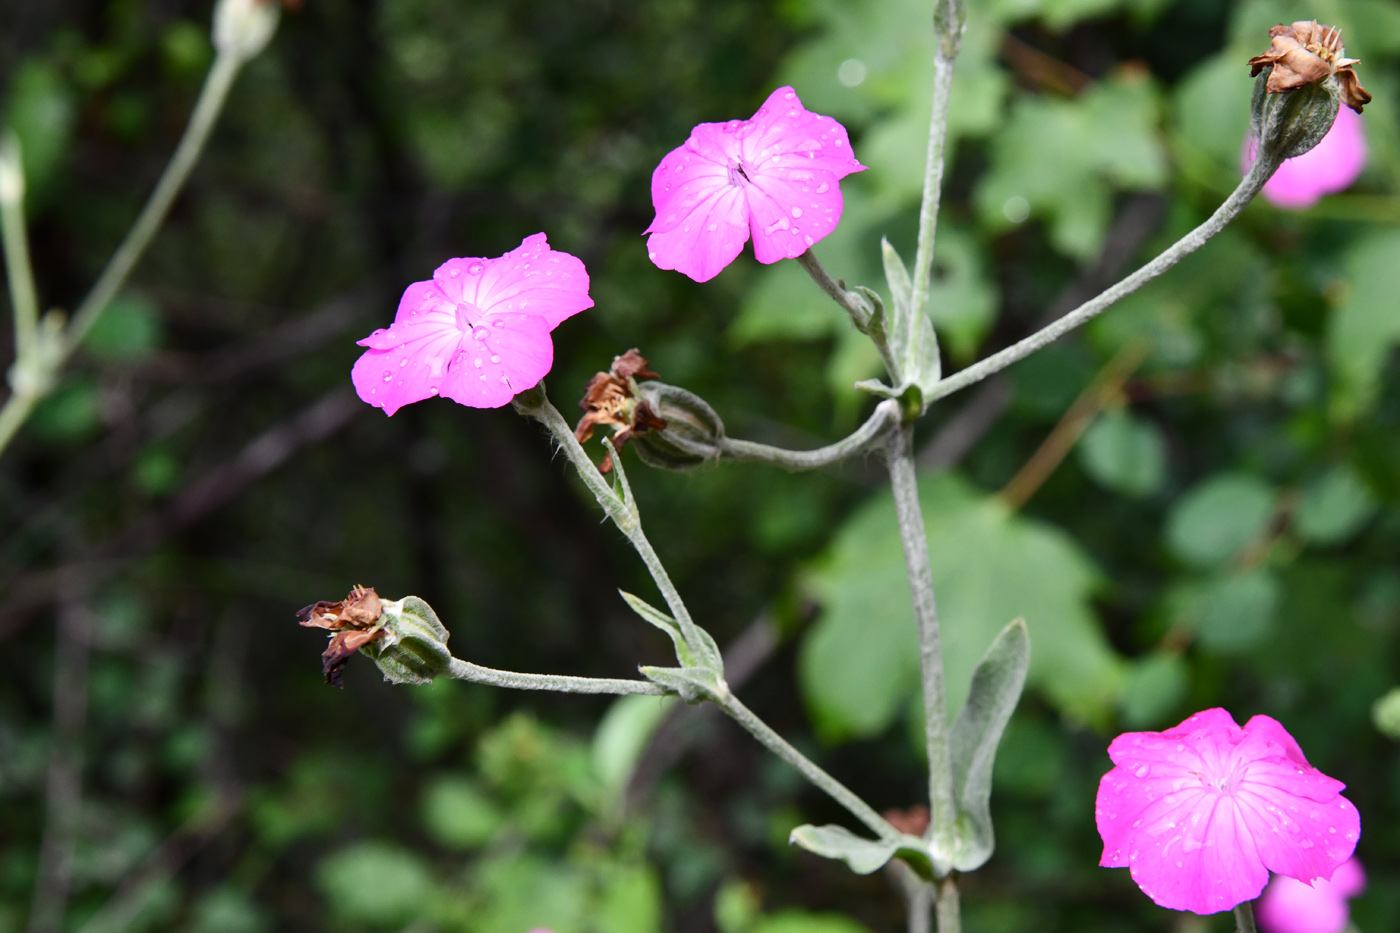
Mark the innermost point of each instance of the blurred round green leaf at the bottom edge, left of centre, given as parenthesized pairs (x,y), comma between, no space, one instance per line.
(376,885)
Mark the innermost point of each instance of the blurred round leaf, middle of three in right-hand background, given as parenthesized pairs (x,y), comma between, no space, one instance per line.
(1216,519)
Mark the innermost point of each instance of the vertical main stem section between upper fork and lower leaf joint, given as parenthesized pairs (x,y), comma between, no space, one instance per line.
(905,484)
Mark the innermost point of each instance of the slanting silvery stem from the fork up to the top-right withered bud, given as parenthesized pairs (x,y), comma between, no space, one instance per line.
(1186,246)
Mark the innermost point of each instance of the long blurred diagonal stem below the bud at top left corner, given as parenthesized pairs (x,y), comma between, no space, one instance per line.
(139,237)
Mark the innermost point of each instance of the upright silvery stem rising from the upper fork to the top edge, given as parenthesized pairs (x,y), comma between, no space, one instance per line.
(948,23)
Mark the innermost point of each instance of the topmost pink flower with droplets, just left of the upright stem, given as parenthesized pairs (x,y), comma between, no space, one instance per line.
(776,176)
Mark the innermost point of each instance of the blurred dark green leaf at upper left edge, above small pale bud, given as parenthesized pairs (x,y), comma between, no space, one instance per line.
(43,114)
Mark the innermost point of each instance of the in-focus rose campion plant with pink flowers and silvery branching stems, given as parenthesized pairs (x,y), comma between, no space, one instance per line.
(1200,815)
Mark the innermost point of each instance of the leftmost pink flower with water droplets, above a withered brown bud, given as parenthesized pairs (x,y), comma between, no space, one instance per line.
(478,333)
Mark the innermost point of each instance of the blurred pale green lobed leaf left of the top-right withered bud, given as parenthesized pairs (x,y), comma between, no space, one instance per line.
(1067,159)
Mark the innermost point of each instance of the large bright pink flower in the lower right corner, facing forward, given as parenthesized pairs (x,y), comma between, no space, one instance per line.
(1202,813)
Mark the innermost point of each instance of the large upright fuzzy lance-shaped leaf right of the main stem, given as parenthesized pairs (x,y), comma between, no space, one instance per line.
(996,689)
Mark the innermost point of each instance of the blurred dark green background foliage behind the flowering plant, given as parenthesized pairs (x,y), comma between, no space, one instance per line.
(1224,532)
